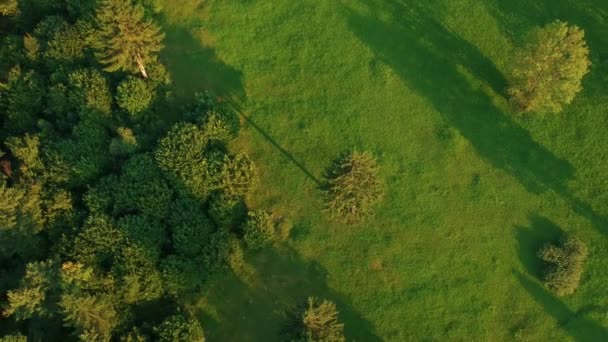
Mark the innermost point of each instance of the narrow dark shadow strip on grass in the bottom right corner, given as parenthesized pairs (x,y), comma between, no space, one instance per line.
(575,324)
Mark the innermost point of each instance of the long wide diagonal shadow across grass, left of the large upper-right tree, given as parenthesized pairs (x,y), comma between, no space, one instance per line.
(438,64)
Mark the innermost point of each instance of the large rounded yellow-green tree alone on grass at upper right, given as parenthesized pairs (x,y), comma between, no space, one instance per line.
(547,72)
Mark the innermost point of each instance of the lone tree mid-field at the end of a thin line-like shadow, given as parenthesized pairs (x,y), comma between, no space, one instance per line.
(354,187)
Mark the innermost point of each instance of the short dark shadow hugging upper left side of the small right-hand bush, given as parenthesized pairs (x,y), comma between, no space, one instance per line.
(531,239)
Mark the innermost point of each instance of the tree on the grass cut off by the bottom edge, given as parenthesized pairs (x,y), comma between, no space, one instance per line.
(317,321)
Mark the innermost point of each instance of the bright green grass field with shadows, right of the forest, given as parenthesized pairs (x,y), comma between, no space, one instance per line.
(473,189)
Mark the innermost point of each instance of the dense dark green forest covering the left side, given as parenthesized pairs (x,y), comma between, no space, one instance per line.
(115,199)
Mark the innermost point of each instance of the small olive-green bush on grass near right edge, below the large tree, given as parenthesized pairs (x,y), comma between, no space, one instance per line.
(565,263)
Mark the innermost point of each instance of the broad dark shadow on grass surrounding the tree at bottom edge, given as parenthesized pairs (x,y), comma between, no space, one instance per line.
(256,304)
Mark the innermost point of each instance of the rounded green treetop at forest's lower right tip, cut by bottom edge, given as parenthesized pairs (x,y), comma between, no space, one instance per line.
(180,328)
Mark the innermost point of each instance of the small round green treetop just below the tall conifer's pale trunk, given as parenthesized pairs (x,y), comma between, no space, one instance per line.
(134,95)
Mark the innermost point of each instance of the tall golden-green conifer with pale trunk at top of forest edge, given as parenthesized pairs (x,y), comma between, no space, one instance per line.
(126,40)
